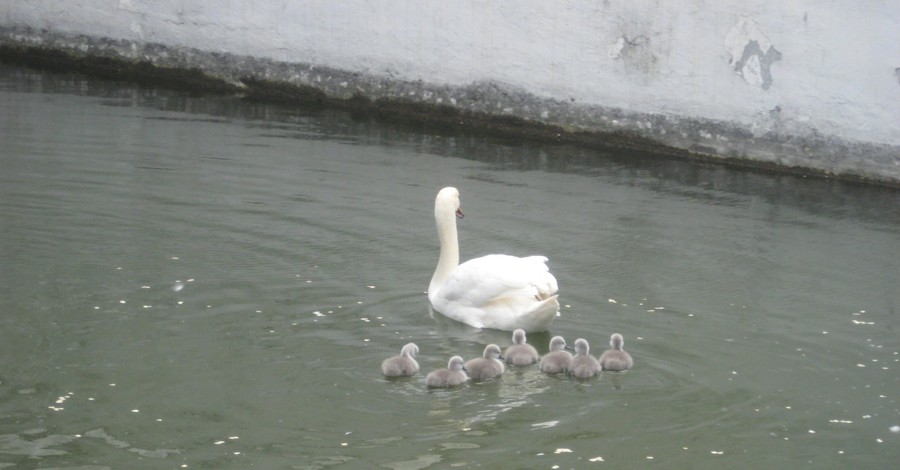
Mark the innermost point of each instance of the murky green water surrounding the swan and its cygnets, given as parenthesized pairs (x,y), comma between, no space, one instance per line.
(205,283)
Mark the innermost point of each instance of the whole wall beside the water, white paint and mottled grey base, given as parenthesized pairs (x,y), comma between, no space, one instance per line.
(801,83)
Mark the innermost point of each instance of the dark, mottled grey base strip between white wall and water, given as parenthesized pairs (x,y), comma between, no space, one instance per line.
(488,108)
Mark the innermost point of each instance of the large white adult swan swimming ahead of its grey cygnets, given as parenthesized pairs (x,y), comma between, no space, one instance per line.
(495,291)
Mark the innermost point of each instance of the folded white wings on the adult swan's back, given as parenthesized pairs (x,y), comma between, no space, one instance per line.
(492,278)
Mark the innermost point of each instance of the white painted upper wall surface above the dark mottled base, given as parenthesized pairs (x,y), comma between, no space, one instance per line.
(837,71)
